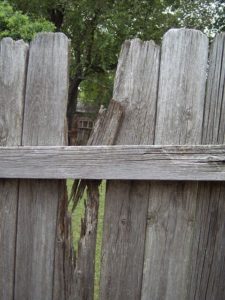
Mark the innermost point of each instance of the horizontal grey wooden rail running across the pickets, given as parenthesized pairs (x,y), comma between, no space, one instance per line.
(115,162)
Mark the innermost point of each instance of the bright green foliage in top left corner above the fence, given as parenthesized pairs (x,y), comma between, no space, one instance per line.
(19,26)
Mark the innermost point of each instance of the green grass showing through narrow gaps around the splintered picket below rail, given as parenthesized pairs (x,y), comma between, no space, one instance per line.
(76,221)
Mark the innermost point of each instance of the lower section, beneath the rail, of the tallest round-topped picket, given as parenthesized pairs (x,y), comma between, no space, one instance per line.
(171,217)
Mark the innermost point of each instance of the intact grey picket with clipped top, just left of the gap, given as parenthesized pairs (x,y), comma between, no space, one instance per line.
(44,124)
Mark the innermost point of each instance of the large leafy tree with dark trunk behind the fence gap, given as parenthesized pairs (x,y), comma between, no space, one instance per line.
(97,28)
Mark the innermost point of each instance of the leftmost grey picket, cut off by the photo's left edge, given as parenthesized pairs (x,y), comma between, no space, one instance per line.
(13,58)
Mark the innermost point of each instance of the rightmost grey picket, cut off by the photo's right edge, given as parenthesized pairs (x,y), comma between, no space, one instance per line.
(208,255)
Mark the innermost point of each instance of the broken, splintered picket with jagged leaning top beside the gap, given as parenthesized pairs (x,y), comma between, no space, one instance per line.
(104,132)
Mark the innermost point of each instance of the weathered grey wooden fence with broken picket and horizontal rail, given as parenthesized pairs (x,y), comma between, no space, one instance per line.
(164,226)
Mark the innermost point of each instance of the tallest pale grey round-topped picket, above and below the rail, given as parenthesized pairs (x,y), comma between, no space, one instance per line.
(172,207)
